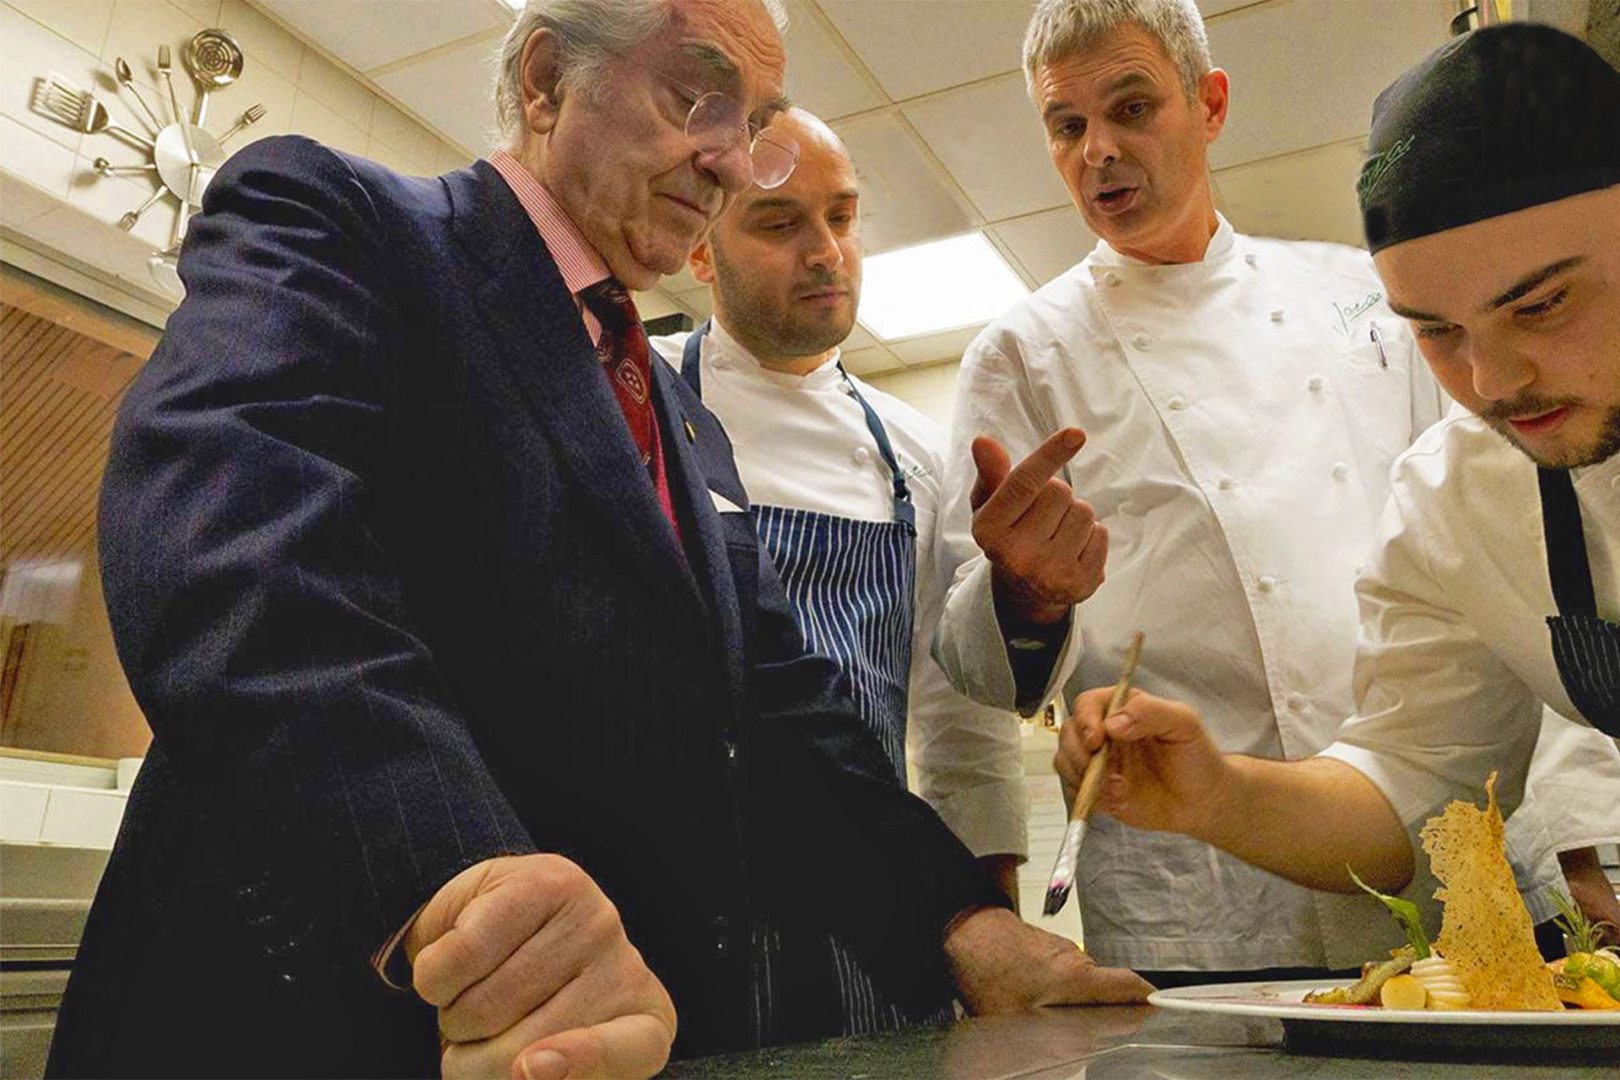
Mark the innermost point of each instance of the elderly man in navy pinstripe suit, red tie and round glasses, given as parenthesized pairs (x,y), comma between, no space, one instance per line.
(485,742)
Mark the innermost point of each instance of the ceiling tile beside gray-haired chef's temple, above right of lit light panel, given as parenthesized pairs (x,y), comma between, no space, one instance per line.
(989,137)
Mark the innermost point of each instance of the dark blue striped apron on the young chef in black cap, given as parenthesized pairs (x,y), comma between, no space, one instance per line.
(1585,647)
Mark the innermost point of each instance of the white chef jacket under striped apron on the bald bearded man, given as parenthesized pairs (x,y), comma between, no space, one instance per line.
(803,443)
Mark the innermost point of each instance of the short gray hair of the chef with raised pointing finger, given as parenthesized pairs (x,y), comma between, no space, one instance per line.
(1064,28)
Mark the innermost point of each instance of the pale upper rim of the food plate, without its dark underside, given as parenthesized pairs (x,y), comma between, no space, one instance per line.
(1285,1001)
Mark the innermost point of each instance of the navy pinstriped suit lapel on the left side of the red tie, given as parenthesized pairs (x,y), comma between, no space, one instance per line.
(542,338)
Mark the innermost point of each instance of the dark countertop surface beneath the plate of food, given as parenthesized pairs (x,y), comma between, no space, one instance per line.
(1109,1044)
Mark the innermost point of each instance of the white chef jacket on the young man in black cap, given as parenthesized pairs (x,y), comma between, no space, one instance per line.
(1456,661)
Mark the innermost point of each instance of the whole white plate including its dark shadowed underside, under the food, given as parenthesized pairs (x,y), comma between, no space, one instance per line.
(1409,1034)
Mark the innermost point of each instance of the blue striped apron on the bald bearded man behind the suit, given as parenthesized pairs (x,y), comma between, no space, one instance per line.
(851,587)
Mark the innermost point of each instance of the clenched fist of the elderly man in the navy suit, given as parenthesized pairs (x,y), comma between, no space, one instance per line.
(534,976)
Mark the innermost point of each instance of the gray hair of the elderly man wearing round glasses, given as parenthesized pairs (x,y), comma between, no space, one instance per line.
(592,35)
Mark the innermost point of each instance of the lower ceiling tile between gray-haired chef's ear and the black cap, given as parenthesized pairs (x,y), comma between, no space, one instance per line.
(1303,197)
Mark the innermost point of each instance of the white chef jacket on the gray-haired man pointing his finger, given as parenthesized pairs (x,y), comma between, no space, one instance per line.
(1243,415)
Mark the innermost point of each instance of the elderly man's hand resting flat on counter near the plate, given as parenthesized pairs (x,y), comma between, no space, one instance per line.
(1004,964)
